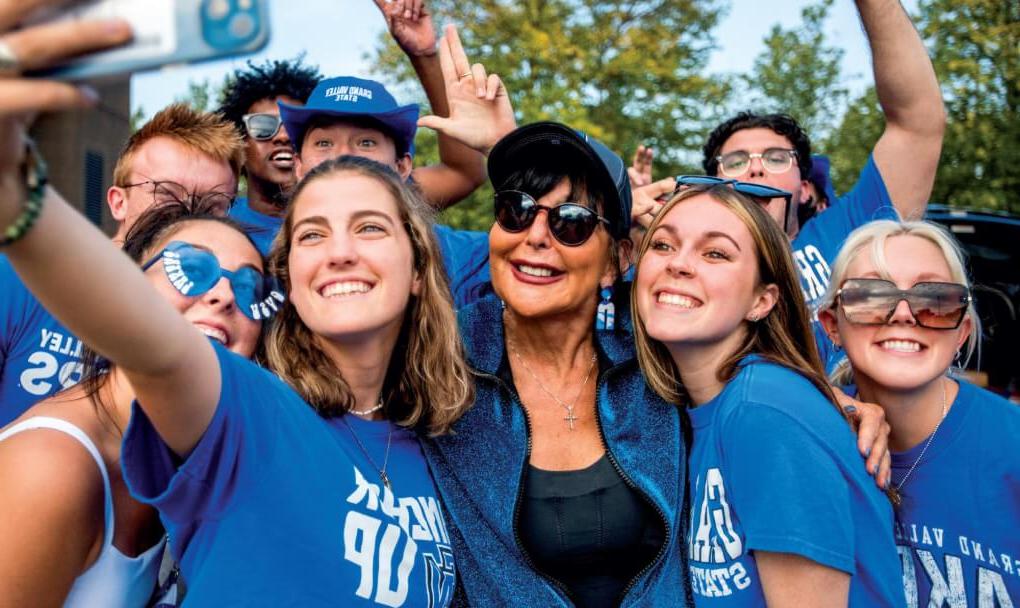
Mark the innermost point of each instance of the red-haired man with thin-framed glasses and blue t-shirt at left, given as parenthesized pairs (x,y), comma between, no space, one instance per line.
(180,155)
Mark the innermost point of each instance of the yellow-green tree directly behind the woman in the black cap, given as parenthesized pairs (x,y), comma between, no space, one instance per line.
(628,72)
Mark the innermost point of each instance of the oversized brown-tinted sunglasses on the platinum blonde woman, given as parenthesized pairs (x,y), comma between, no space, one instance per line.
(934,306)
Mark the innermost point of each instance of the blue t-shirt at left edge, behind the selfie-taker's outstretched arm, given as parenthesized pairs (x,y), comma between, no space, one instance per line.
(38,356)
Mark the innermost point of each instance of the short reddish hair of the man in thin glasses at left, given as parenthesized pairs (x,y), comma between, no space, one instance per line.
(206,132)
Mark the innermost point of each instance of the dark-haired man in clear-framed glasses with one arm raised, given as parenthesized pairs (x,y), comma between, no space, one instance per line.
(896,182)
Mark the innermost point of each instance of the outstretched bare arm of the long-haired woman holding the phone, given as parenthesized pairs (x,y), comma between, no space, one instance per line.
(98,292)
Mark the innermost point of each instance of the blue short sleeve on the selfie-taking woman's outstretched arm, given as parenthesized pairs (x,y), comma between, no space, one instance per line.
(240,439)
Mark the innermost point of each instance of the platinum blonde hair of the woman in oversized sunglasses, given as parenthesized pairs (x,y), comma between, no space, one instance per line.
(873,237)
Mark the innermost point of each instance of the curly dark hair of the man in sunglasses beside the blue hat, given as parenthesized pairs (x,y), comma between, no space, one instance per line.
(267,81)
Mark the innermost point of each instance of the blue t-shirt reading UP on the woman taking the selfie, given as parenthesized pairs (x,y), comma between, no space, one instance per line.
(277,506)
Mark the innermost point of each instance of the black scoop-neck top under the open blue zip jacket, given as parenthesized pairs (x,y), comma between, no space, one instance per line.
(588,530)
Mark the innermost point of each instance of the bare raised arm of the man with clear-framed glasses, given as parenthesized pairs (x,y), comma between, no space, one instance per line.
(907,154)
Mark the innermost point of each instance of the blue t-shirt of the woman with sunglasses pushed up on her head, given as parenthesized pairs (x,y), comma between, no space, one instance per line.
(775,468)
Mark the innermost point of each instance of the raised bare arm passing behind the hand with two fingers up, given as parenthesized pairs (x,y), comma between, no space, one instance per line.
(462,169)
